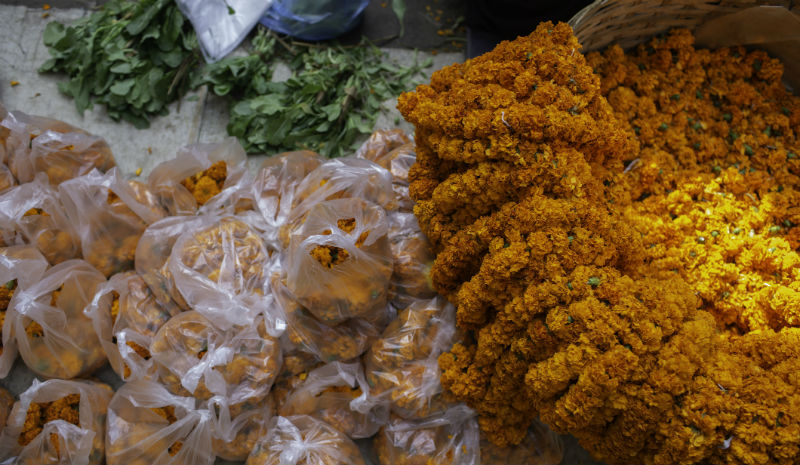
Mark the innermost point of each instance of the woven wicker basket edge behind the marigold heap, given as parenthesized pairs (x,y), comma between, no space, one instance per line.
(630,22)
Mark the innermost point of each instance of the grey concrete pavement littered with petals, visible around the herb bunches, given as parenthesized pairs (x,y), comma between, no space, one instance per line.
(201,117)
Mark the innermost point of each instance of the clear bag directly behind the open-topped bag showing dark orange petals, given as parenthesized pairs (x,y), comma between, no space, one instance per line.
(346,177)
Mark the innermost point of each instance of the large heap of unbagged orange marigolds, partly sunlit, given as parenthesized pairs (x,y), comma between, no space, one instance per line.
(564,222)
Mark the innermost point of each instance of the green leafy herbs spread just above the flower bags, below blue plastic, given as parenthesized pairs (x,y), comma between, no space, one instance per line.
(332,99)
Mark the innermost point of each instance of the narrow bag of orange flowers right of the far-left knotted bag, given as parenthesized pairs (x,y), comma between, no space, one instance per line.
(126,317)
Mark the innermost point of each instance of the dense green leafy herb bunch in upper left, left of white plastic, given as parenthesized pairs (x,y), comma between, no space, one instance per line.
(132,57)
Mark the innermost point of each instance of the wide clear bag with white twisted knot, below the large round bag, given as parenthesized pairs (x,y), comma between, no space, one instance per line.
(196,358)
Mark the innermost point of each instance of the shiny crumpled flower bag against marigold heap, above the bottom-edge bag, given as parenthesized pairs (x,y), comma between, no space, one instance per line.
(401,366)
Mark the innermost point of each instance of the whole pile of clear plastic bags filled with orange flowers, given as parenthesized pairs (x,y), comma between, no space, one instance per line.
(271,317)
